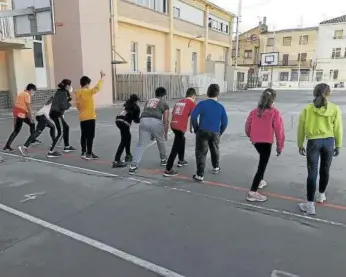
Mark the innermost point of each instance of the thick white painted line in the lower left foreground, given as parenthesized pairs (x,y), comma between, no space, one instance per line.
(94,243)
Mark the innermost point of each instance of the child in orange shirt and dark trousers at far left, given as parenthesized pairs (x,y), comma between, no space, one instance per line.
(22,113)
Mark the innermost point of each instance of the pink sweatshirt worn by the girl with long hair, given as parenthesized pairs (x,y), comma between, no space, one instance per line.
(262,129)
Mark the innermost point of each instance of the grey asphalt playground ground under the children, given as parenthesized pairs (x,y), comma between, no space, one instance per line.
(70,217)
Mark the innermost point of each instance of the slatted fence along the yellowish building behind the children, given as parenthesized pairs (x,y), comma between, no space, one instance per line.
(144,85)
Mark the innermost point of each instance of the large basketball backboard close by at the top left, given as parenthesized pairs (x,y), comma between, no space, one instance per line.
(41,22)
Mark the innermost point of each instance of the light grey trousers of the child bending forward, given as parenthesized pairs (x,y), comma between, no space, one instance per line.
(148,128)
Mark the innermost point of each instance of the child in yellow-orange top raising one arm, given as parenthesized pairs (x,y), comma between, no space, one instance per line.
(87,115)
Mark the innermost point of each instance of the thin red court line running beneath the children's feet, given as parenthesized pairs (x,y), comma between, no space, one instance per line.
(209,183)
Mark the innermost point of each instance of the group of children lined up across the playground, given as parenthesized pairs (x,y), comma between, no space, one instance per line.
(320,123)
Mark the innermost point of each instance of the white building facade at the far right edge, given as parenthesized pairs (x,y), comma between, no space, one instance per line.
(331,52)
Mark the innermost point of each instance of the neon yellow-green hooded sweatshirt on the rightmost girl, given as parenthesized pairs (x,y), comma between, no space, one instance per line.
(319,123)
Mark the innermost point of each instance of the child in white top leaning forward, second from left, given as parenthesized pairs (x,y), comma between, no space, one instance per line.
(43,121)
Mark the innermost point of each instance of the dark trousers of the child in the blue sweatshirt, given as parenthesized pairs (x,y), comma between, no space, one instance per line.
(205,140)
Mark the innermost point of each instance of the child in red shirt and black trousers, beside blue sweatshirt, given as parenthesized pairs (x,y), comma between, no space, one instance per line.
(180,117)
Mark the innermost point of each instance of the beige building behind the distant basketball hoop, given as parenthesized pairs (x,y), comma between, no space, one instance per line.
(296,48)
